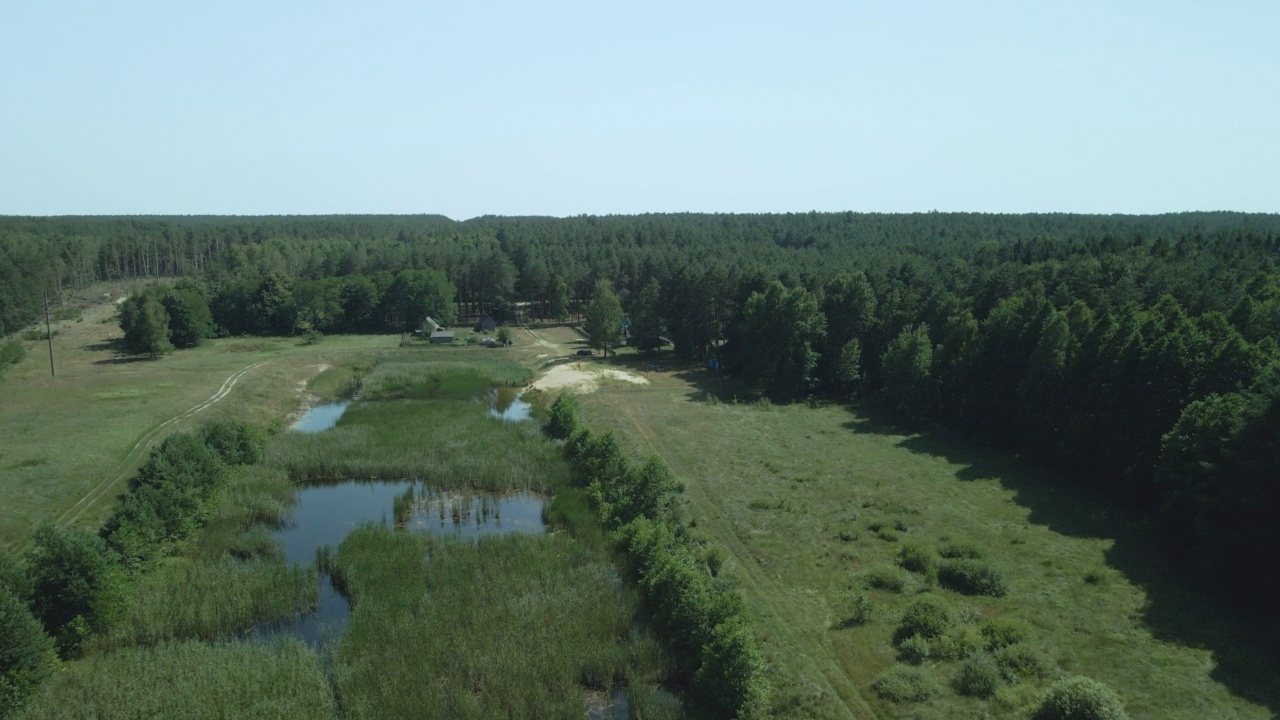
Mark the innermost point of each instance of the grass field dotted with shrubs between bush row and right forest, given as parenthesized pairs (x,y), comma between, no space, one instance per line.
(812,503)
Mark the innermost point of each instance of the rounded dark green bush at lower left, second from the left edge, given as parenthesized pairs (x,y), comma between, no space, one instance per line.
(77,589)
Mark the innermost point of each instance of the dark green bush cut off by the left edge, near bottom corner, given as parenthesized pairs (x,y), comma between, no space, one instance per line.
(28,657)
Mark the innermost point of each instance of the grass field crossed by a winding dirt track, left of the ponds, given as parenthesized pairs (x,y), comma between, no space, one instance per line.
(68,443)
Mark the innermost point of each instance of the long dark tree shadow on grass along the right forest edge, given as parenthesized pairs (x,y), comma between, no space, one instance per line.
(1245,644)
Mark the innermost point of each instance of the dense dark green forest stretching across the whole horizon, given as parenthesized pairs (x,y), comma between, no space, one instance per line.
(1137,354)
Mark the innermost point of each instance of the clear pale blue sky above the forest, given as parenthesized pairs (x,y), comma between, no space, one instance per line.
(563,108)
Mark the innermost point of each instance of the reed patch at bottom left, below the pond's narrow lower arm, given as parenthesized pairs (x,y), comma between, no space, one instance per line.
(193,681)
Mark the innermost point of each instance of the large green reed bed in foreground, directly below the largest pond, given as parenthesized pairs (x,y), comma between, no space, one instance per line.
(506,627)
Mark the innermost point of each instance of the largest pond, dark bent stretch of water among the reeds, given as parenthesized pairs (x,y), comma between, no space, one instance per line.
(326,513)
